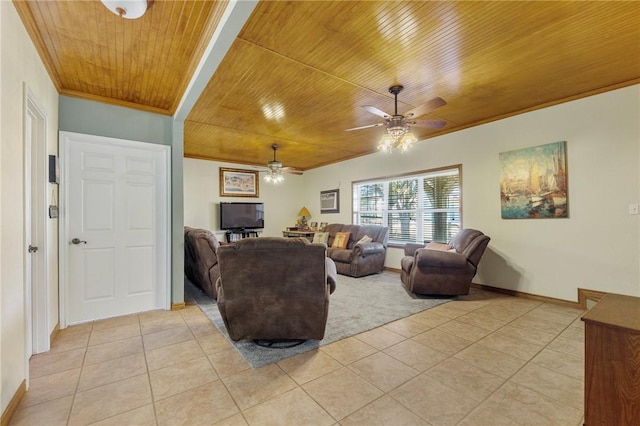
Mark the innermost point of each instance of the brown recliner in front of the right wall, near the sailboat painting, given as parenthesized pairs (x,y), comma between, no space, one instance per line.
(446,269)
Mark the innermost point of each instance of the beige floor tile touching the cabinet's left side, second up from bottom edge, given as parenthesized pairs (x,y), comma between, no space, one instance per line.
(559,387)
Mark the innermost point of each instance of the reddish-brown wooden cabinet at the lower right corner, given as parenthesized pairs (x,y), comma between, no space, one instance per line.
(612,361)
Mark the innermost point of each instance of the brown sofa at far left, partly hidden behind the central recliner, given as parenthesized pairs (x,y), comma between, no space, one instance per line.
(200,259)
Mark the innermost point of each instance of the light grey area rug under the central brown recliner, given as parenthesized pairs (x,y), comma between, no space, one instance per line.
(357,305)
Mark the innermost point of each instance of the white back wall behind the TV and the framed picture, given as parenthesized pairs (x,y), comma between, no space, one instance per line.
(202,198)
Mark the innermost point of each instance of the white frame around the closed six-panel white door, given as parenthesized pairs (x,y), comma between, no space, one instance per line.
(163,266)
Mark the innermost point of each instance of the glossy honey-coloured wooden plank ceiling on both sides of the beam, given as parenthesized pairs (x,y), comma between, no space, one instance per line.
(299,72)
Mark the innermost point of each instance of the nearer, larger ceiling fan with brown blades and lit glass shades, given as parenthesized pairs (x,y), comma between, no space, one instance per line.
(398,126)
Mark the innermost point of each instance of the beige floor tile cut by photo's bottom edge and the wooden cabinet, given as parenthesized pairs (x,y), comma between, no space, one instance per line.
(524,405)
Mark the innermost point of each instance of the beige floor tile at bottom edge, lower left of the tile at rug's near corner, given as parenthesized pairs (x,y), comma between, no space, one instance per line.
(204,405)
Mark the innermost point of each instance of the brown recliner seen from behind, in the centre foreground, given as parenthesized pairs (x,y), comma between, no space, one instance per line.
(273,288)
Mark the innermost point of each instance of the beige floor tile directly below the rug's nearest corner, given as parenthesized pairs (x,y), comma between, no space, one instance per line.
(251,387)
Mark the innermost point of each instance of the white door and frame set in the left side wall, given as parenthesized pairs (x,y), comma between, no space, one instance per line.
(36,299)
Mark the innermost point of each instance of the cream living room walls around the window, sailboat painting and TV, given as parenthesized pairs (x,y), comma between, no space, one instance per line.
(597,247)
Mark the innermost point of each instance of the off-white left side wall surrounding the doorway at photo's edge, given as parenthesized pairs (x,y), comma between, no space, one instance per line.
(19,62)
